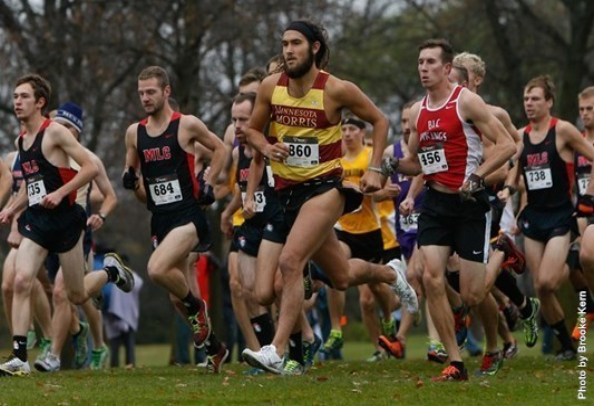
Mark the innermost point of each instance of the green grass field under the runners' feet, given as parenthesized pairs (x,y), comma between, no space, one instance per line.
(527,380)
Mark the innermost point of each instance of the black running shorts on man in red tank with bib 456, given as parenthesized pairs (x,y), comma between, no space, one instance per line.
(463,225)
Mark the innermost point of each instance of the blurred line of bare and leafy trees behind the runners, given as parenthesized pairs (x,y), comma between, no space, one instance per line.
(92,52)
